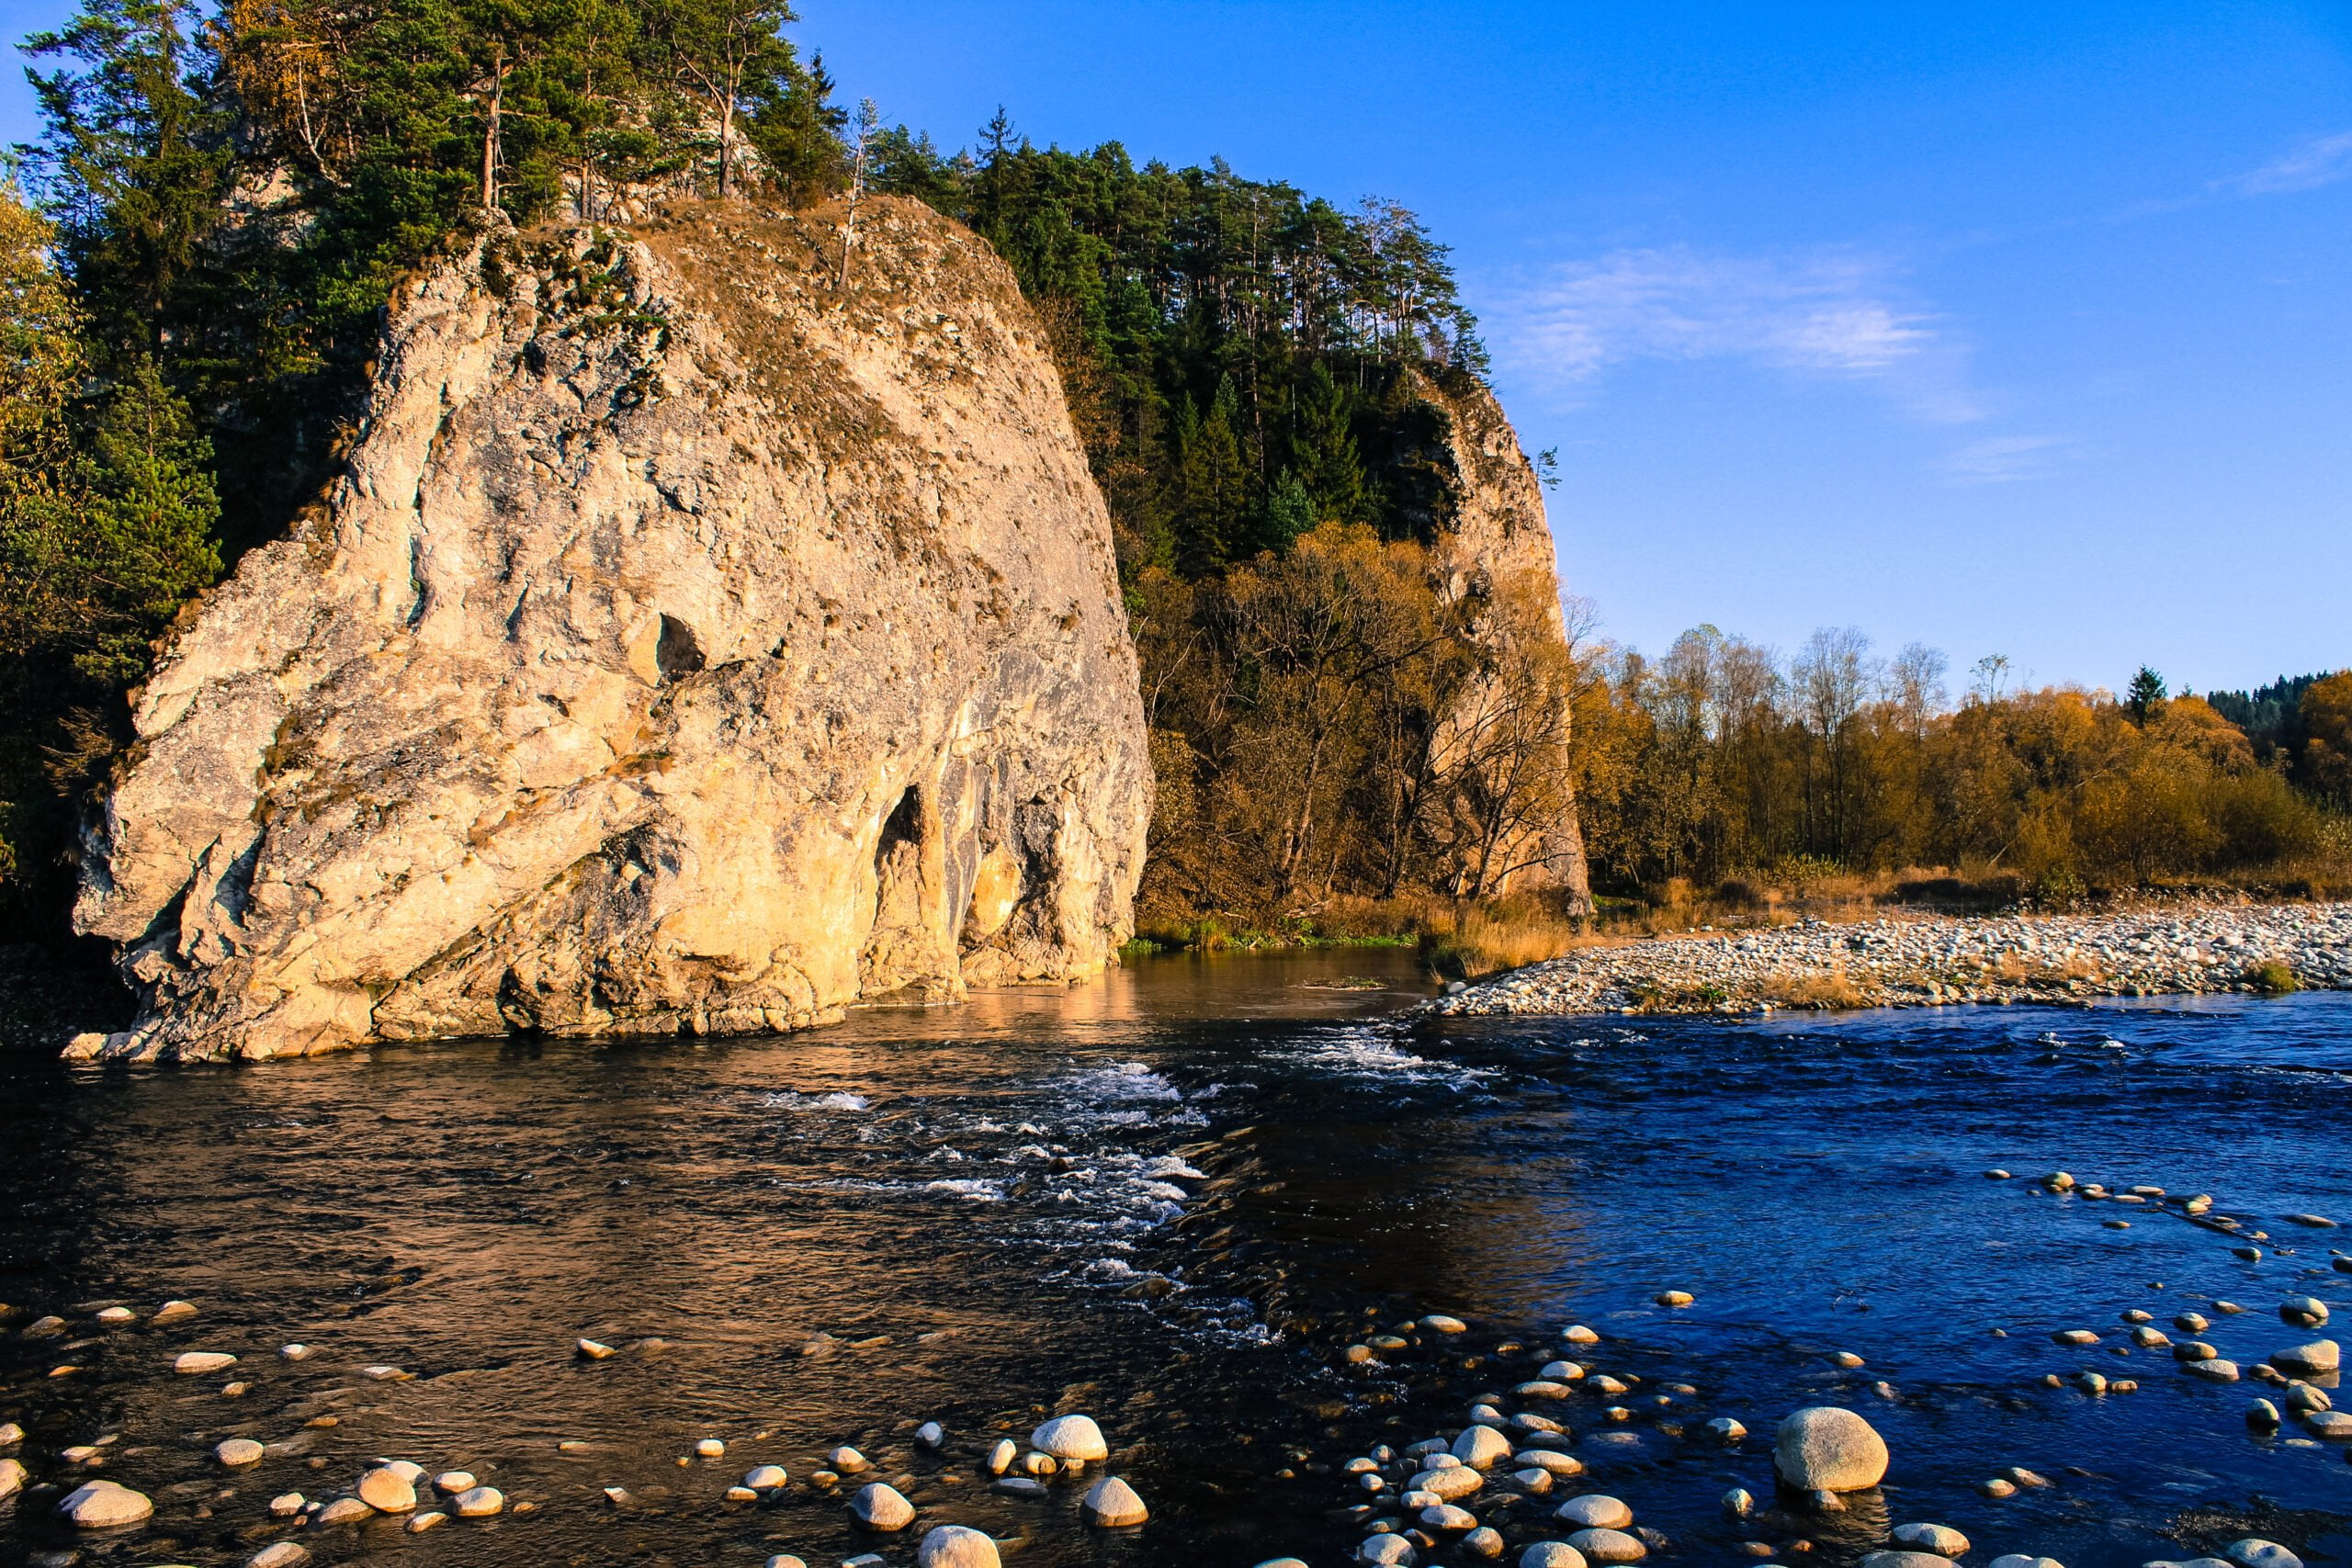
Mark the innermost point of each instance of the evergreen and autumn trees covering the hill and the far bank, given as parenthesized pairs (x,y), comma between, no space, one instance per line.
(225,199)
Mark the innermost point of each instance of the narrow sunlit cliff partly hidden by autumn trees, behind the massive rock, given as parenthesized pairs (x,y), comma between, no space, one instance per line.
(1495,544)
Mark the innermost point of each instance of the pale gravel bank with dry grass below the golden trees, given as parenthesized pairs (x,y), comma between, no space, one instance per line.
(1939,960)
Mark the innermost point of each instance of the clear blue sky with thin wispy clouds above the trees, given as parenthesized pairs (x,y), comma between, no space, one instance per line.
(2003,328)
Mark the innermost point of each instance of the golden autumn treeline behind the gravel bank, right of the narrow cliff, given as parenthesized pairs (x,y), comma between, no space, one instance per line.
(1723,760)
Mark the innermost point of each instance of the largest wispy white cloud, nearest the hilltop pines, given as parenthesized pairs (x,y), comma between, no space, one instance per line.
(1833,314)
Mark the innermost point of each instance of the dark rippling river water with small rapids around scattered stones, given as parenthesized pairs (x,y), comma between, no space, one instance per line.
(1172,1200)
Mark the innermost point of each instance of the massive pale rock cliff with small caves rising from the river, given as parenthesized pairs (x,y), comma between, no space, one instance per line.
(693,645)
